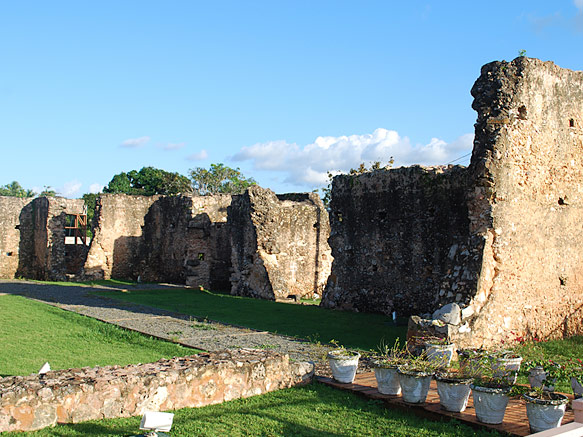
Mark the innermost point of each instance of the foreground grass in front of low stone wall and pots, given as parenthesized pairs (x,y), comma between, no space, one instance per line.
(313,410)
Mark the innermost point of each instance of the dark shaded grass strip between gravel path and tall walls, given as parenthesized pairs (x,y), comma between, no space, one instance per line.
(356,330)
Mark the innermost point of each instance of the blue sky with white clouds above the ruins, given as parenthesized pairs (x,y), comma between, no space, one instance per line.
(285,90)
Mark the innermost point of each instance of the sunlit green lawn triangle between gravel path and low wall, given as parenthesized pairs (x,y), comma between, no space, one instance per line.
(32,333)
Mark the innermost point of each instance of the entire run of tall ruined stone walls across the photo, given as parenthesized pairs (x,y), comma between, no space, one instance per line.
(476,253)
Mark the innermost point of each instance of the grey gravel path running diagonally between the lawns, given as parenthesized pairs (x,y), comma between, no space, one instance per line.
(179,328)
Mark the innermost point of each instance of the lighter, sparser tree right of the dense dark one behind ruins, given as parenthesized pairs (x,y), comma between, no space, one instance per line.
(219,179)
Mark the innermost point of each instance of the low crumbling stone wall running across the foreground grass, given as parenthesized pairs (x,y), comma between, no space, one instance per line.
(76,395)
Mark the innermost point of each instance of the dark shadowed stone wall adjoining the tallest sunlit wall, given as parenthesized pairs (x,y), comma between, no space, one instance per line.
(400,241)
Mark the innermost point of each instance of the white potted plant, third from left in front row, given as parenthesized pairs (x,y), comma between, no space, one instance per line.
(415,377)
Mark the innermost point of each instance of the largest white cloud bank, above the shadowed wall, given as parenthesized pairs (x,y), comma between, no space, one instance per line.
(308,166)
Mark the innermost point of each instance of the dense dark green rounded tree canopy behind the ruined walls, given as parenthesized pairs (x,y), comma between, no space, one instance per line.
(147,182)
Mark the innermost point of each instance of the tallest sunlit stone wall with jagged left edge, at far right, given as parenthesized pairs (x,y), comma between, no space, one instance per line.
(526,204)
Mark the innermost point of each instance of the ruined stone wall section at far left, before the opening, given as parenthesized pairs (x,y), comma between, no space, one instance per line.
(32,237)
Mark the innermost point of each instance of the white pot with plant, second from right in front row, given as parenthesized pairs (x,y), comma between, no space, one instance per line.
(490,391)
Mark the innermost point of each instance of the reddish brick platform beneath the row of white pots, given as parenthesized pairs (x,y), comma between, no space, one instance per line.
(515,420)
